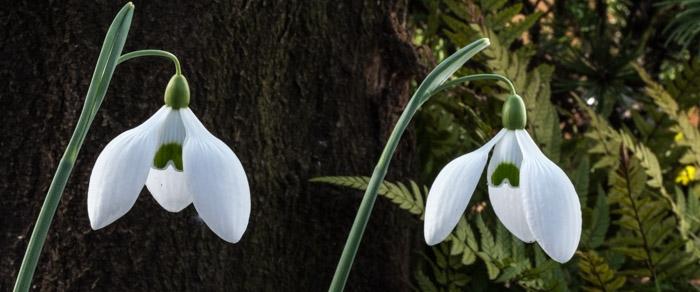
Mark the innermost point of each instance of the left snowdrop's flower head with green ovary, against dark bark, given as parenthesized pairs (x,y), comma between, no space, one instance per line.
(180,162)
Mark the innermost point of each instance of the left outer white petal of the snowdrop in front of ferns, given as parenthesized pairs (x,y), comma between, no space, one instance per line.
(451,191)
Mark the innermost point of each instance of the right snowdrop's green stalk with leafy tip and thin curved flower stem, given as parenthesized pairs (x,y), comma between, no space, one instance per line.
(433,83)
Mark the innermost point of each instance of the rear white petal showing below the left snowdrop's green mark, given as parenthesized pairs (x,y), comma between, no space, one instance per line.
(168,188)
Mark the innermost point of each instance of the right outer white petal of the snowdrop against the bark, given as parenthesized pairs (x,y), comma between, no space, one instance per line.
(216,179)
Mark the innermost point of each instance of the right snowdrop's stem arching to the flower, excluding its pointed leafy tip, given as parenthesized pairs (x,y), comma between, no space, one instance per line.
(380,170)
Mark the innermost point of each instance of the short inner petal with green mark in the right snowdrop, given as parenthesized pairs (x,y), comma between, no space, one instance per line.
(504,165)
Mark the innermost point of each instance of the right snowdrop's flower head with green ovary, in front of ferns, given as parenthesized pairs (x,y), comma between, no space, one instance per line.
(532,196)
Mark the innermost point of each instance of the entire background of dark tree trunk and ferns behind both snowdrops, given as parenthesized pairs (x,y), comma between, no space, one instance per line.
(311,89)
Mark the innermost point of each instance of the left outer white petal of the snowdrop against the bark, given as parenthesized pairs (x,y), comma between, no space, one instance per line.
(121,170)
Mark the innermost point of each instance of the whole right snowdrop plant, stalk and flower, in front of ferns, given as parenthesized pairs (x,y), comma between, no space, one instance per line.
(533,197)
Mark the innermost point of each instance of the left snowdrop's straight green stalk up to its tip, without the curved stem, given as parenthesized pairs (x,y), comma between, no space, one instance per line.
(106,63)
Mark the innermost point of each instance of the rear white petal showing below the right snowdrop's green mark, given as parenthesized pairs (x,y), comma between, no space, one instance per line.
(507,203)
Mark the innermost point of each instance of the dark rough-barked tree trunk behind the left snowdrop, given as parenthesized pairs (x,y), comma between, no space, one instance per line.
(298,88)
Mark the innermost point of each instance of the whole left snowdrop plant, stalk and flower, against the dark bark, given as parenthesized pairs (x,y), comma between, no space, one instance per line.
(171,153)
